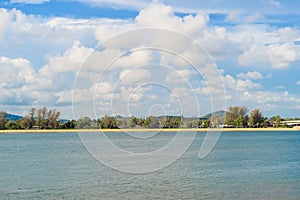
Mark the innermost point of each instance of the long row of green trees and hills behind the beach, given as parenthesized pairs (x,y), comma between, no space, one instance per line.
(235,117)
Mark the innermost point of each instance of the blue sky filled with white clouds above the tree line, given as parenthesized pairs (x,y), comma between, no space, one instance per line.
(138,57)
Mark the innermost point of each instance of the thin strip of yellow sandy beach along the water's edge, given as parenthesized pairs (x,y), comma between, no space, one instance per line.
(150,130)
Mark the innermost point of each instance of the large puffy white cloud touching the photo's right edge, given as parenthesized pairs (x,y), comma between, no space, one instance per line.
(264,46)
